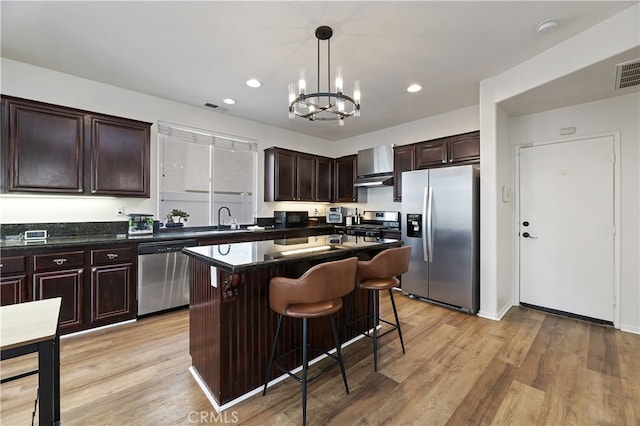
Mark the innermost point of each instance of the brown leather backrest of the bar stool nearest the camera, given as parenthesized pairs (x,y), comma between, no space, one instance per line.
(321,283)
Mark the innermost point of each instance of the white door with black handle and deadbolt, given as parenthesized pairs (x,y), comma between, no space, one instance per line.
(567,227)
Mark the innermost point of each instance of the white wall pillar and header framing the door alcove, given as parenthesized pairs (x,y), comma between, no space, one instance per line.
(611,37)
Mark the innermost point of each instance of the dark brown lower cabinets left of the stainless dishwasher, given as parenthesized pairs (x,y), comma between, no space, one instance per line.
(97,285)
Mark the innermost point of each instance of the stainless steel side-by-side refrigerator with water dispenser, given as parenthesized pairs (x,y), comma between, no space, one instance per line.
(440,221)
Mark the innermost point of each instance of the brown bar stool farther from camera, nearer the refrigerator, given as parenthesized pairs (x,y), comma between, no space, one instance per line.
(380,273)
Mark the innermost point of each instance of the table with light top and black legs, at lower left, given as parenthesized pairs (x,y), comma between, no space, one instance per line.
(34,327)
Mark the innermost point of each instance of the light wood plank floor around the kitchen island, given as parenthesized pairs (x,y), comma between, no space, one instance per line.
(528,369)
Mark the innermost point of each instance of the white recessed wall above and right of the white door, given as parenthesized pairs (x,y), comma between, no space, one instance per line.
(615,114)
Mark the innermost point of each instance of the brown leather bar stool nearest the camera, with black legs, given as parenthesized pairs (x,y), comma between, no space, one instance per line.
(317,293)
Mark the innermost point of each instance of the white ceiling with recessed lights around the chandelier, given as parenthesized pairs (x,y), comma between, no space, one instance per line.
(199,52)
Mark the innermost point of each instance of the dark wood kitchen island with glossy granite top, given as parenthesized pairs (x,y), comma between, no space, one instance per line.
(231,325)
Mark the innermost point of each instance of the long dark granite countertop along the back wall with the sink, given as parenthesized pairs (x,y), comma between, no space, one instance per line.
(163,235)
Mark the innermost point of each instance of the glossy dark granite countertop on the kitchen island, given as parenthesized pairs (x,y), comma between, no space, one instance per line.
(239,257)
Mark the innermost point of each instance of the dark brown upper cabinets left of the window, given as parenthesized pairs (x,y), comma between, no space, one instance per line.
(53,149)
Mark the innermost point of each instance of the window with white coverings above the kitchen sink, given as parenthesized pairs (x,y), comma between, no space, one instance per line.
(202,171)
